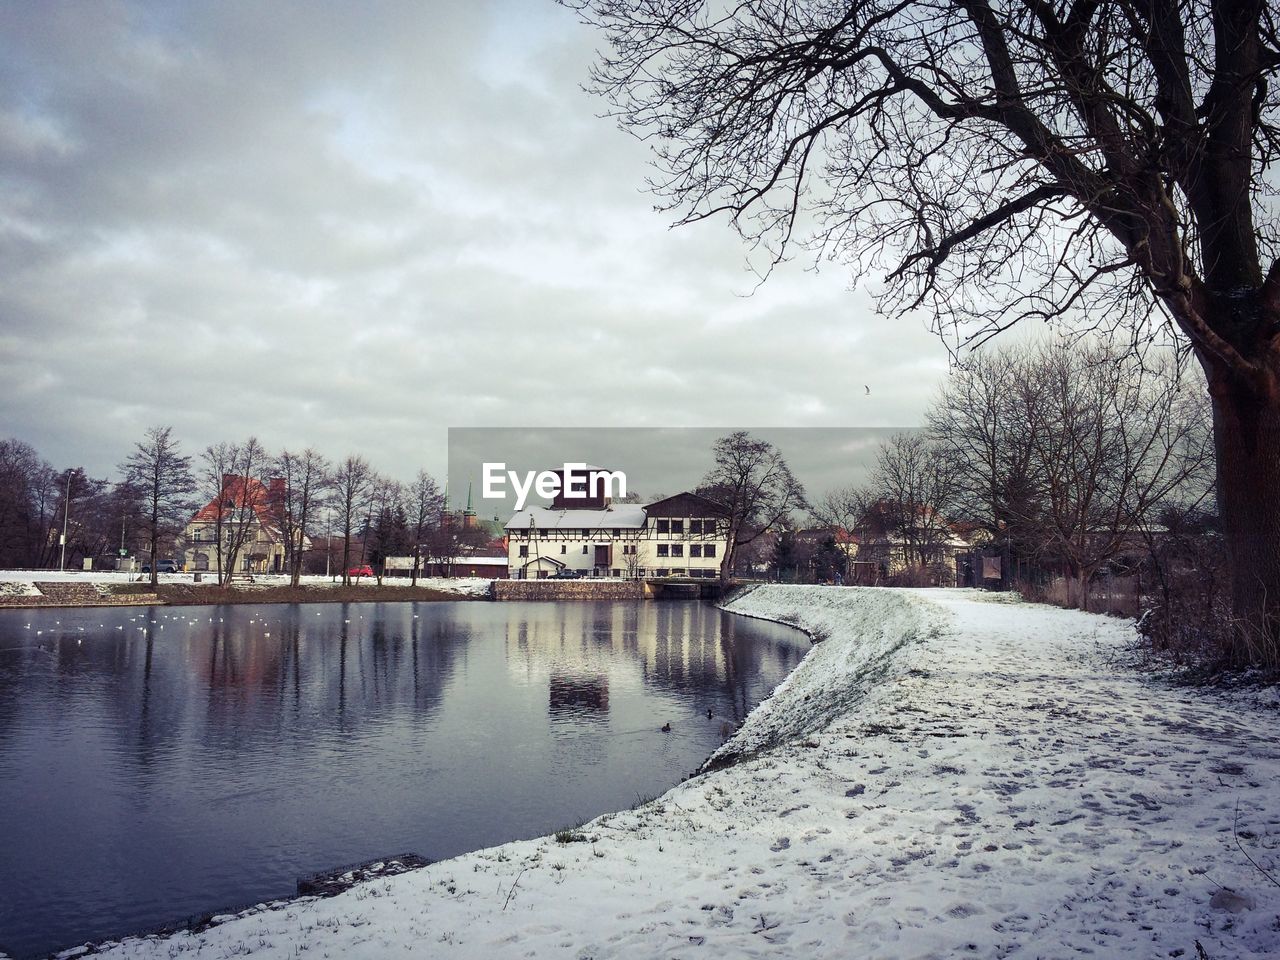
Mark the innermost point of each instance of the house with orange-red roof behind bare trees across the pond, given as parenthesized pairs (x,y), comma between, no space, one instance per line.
(248,514)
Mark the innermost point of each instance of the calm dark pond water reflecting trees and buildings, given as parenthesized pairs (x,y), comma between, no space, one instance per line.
(158,764)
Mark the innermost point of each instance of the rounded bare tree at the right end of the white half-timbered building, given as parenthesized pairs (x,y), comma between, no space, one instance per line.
(753,487)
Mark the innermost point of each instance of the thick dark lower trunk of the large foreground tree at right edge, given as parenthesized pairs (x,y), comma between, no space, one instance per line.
(1247,437)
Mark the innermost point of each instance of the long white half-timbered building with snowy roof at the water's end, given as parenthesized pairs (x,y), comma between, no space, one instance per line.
(591,536)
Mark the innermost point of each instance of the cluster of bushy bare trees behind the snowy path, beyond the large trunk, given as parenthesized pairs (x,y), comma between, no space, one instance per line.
(1063,456)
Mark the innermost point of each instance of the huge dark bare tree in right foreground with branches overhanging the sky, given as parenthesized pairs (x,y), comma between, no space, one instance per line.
(1104,163)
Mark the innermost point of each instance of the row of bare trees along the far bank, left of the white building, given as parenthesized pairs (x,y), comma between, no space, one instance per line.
(245,487)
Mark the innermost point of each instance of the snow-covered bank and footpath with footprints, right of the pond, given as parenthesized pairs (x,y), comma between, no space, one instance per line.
(945,775)
